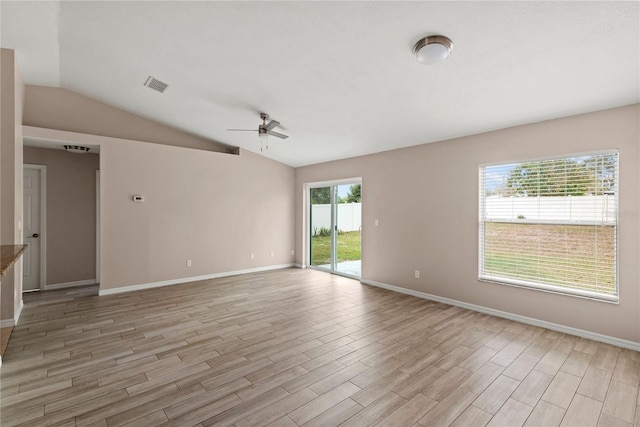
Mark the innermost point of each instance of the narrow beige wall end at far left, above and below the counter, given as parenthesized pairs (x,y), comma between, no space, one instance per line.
(12,94)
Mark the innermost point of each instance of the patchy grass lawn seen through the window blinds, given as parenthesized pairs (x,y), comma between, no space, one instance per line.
(553,254)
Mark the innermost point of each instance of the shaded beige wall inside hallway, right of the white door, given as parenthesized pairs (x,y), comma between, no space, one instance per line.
(71,213)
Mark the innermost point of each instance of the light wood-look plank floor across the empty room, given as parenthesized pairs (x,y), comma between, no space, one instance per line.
(300,347)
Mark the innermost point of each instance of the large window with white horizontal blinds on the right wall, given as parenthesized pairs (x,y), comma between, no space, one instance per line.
(551,224)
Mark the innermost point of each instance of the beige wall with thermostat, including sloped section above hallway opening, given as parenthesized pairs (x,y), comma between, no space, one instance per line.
(211,207)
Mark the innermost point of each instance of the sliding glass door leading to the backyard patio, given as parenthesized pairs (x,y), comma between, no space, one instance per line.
(335,228)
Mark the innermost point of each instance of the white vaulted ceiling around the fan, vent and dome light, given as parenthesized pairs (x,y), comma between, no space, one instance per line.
(339,76)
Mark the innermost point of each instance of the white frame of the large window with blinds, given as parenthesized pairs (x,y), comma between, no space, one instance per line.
(544,287)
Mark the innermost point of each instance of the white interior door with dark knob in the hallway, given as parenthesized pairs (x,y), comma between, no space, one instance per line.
(32,229)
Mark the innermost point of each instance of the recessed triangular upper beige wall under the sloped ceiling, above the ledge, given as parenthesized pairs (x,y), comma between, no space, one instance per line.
(62,109)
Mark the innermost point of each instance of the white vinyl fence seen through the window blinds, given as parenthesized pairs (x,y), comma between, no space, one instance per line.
(578,209)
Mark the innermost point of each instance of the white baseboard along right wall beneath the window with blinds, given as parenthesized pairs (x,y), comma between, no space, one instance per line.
(632,345)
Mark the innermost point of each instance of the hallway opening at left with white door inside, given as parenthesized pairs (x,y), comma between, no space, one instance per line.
(61,224)
